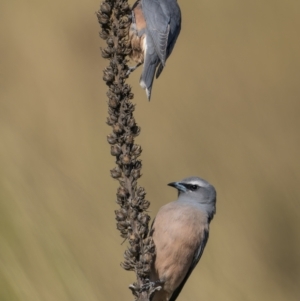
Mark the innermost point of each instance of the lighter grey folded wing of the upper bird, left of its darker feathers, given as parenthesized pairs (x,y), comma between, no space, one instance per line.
(158,15)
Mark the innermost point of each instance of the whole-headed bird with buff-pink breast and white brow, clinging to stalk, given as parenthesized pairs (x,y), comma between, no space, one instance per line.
(180,233)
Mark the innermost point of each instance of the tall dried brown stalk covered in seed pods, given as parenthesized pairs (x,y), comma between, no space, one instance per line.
(114,17)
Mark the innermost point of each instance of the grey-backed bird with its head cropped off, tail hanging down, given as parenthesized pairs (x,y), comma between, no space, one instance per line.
(154,29)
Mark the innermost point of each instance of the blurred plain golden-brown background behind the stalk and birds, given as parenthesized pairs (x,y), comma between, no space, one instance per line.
(226,108)
